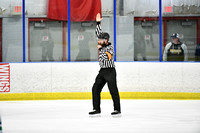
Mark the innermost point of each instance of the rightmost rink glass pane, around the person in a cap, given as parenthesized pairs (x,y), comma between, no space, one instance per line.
(182,16)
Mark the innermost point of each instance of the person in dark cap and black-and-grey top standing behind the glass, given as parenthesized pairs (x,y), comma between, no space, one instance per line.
(175,50)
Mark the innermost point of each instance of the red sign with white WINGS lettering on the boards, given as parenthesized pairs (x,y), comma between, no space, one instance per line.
(5,77)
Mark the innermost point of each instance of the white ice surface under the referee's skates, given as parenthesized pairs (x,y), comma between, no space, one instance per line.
(71,116)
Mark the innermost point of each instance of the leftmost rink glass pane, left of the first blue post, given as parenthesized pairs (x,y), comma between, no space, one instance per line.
(11,39)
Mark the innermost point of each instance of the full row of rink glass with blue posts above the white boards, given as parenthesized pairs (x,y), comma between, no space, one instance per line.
(133,26)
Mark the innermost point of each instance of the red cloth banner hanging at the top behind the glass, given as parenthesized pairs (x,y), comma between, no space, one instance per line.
(80,10)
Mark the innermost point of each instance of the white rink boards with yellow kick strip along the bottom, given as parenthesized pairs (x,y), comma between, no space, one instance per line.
(74,80)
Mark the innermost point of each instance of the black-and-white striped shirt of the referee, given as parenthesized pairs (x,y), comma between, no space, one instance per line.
(104,61)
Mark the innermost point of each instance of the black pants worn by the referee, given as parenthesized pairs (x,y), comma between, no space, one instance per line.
(106,75)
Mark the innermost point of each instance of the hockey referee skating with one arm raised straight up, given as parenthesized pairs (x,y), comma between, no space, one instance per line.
(107,73)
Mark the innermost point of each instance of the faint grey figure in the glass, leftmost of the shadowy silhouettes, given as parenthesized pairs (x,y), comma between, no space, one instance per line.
(47,45)
